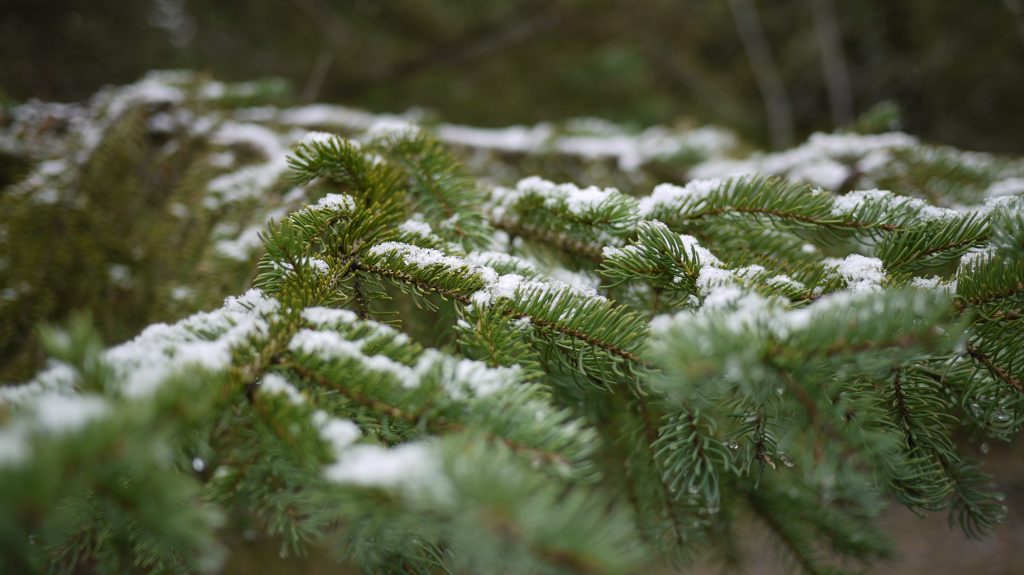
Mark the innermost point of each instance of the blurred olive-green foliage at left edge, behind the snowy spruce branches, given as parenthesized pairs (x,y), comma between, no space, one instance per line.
(108,244)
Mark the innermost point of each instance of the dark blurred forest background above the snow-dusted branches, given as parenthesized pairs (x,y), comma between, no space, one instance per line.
(773,71)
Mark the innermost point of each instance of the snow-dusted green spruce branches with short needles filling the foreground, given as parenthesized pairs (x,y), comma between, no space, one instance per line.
(433,374)
